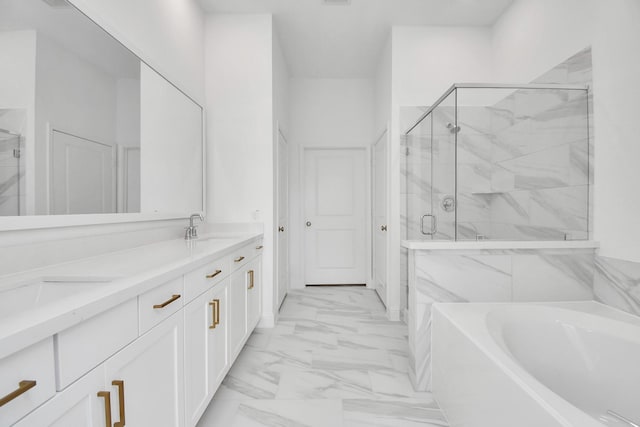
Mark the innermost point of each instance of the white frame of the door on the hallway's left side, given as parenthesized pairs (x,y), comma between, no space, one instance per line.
(276,239)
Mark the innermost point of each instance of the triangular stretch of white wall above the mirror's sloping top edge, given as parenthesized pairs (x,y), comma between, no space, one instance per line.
(167,34)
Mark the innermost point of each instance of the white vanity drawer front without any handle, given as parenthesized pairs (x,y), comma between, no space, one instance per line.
(81,348)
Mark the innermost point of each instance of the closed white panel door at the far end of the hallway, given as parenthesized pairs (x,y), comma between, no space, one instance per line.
(335,216)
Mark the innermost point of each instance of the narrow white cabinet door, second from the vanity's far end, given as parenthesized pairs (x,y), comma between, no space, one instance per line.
(237,311)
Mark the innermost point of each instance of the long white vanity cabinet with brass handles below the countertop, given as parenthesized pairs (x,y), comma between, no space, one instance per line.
(166,373)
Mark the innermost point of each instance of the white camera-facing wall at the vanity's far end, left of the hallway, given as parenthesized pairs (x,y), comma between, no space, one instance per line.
(240,119)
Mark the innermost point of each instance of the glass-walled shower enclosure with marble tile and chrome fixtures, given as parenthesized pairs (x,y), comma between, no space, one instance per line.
(503,162)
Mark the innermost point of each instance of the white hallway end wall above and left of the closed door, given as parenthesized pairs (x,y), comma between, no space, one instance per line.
(324,113)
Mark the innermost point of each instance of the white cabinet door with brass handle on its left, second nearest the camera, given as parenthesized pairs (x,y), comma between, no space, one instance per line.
(152,377)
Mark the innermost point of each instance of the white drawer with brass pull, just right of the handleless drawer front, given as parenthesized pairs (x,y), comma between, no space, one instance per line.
(160,303)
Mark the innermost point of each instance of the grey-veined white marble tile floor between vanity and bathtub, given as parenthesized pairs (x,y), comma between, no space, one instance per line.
(333,360)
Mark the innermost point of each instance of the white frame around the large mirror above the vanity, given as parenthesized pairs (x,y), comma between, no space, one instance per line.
(30,222)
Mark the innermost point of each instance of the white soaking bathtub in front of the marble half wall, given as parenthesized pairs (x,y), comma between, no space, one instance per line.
(536,365)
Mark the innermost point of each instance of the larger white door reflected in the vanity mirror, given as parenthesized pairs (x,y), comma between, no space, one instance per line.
(82,178)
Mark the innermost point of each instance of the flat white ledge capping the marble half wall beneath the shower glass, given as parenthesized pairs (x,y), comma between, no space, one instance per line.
(498,244)
